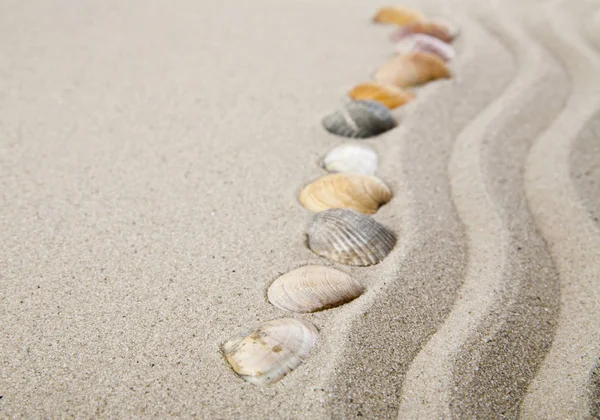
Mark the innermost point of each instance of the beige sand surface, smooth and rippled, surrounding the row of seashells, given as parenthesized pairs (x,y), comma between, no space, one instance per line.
(150,158)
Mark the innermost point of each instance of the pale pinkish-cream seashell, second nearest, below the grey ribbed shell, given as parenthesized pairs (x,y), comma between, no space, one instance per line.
(313,288)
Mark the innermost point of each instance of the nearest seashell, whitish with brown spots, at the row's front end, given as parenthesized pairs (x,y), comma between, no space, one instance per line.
(266,354)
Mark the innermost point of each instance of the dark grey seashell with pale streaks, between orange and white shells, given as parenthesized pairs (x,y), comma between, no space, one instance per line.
(360,119)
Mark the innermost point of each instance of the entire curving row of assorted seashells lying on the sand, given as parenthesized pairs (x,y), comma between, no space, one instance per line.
(342,230)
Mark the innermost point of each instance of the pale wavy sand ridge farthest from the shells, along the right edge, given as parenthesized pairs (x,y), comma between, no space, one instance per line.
(562,387)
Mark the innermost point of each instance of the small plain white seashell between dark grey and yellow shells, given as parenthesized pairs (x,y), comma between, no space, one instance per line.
(351,157)
